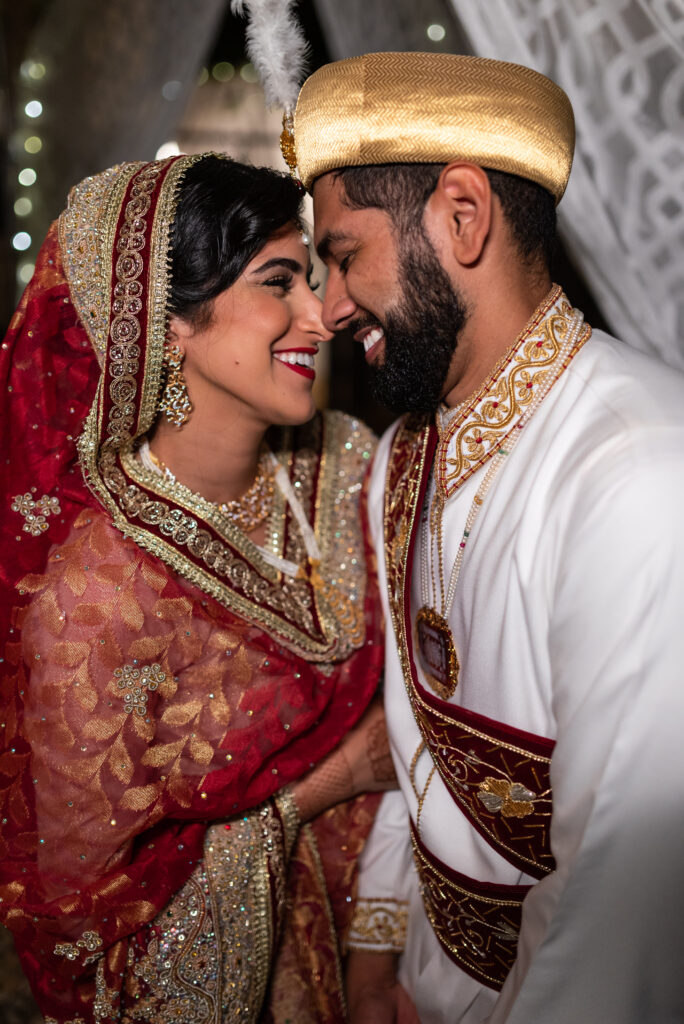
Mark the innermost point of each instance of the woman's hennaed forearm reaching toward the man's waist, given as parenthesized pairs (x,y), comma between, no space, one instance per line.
(361,764)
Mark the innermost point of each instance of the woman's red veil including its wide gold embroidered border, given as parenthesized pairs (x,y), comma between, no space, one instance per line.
(157,675)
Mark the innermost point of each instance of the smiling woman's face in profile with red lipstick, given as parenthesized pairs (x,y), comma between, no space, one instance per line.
(255,358)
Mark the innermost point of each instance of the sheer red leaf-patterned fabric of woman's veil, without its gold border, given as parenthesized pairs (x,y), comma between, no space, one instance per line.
(104,810)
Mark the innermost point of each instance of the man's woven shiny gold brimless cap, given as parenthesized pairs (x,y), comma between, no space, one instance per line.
(435,108)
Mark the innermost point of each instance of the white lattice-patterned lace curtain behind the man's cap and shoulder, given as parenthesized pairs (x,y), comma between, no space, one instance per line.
(622,64)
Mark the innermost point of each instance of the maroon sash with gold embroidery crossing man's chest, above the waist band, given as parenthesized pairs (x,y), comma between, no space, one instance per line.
(498,777)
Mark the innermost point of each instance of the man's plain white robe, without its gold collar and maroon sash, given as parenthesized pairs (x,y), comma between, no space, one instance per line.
(569,623)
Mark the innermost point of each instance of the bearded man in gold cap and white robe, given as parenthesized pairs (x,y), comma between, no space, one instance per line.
(528,520)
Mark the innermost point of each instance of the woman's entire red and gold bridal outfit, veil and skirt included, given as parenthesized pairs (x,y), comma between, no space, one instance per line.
(162,680)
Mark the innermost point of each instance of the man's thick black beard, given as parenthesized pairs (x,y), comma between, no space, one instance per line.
(421,334)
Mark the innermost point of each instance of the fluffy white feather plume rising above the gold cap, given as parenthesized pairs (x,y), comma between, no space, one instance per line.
(277,48)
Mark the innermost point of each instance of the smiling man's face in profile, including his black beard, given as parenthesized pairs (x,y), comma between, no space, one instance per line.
(393,294)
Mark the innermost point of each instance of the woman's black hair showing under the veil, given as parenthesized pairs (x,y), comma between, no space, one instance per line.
(227,212)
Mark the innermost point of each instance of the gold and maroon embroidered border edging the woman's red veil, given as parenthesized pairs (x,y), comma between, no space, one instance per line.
(122,220)
